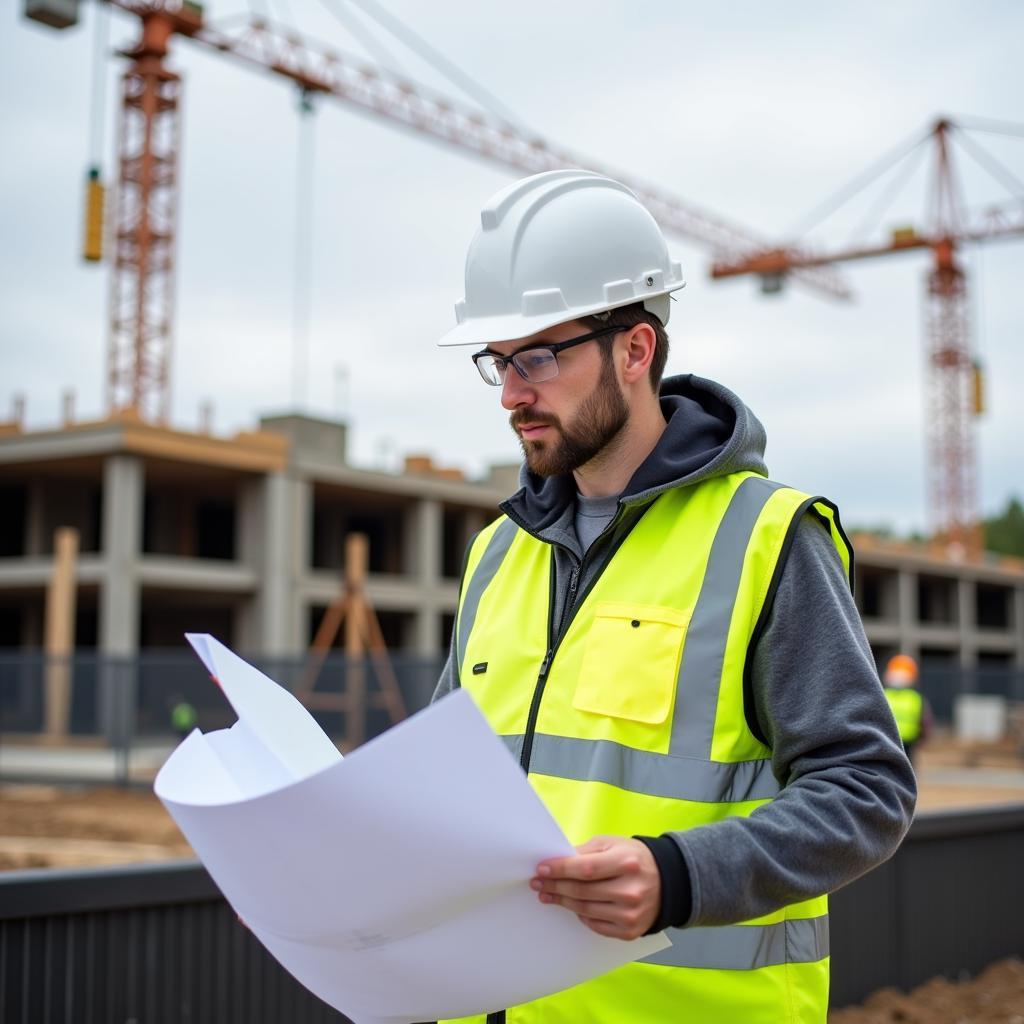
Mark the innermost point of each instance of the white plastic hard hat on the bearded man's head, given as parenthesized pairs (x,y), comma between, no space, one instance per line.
(557,247)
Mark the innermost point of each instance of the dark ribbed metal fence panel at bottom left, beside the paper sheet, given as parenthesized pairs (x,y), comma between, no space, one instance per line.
(154,945)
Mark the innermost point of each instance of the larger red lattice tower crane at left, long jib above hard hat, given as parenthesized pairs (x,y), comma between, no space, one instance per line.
(146,203)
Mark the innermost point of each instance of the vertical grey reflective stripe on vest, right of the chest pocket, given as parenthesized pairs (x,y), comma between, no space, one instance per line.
(701,671)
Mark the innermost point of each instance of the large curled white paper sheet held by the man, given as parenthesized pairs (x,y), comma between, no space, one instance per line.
(394,883)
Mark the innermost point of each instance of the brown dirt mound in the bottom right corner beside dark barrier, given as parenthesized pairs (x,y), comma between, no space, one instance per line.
(996,997)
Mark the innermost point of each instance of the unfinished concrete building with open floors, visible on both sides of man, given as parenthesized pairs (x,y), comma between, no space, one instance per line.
(244,538)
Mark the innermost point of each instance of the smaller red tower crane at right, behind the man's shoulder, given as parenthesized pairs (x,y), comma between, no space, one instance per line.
(954,382)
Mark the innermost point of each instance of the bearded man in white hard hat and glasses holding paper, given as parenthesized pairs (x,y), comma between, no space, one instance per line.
(665,639)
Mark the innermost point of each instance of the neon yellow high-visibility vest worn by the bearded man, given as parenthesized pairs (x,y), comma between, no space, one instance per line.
(635,726)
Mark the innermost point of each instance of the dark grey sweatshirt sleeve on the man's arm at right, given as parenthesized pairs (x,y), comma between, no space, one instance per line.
(848,790)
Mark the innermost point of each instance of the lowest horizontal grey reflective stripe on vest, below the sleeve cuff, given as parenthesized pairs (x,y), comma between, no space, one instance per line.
(746,948)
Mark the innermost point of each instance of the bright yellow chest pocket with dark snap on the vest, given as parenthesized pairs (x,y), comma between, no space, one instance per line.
(631,662)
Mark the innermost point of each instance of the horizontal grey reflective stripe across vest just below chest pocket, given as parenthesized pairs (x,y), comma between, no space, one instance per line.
(646,773)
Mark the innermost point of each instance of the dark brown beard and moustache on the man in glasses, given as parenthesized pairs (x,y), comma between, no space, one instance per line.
(594,429)
